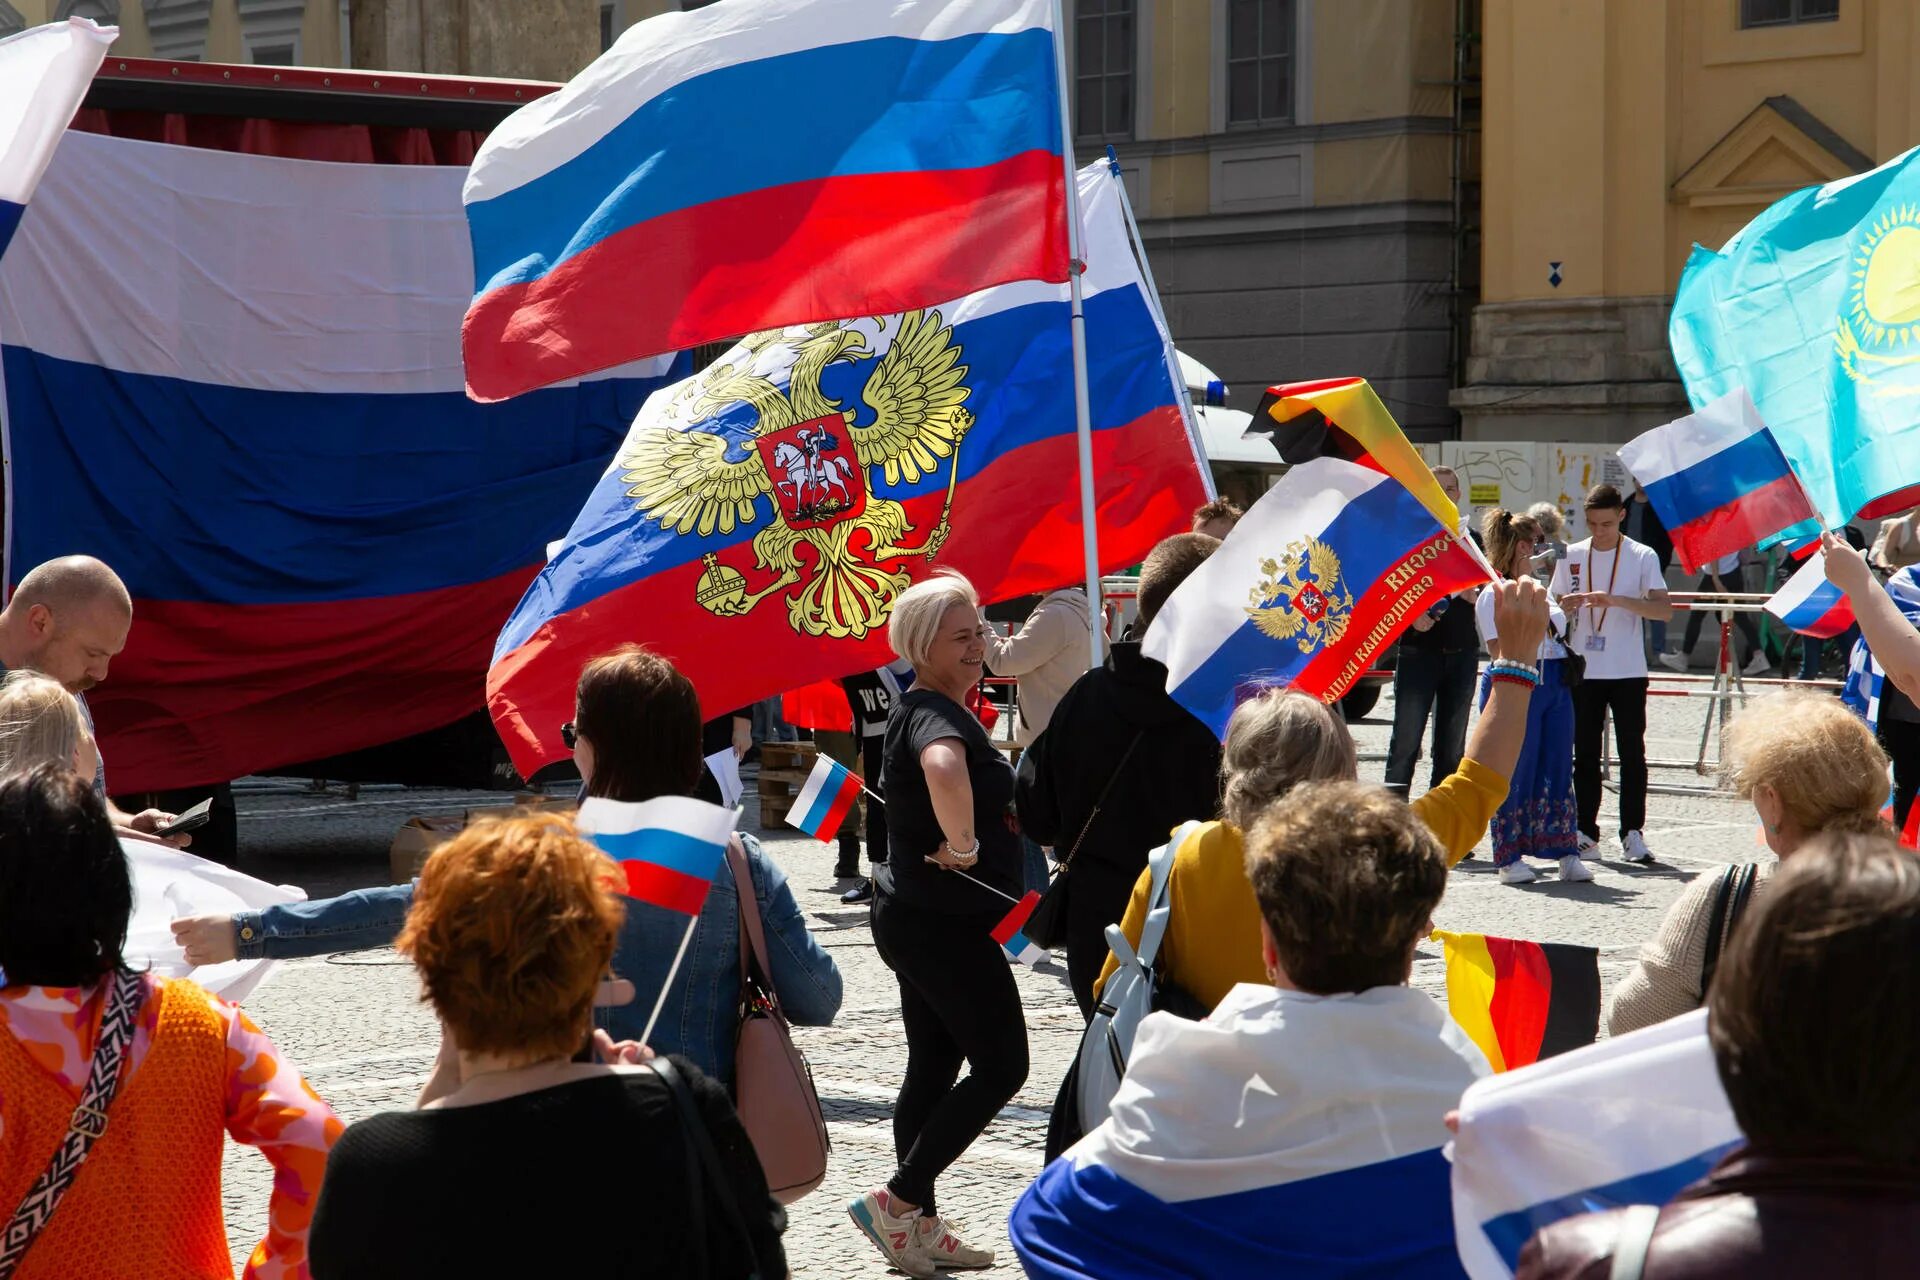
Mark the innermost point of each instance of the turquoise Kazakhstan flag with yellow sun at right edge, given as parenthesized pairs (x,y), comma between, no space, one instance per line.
(1815,310)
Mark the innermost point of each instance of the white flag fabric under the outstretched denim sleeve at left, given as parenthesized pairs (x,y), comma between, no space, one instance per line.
(170,884)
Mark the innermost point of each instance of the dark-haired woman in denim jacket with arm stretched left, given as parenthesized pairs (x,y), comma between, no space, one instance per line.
(636,736)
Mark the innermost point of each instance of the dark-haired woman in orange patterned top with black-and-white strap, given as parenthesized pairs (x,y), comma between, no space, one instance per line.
(147,1198)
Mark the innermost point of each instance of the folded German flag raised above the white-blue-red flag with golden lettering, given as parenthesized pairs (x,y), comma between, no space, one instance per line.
(1345,419)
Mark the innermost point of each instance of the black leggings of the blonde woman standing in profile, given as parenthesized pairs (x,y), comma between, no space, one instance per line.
(959,1005)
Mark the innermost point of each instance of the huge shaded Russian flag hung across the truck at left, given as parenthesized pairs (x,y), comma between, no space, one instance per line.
(249,400)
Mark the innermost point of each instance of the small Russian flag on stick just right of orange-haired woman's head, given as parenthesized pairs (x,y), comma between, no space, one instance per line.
(669,847)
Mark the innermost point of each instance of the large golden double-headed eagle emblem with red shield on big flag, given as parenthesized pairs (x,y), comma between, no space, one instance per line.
(830,542)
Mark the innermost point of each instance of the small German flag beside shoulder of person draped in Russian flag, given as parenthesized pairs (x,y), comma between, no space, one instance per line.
(1522,1001)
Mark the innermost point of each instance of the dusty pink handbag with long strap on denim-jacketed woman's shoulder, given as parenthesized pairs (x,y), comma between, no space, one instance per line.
(773,1085)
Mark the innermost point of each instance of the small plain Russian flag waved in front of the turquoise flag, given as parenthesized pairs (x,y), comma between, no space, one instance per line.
(1717,481)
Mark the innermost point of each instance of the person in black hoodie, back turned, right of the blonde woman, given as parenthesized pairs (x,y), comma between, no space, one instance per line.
(1118,734)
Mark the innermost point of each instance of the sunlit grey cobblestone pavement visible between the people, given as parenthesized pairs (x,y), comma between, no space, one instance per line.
(356,1028)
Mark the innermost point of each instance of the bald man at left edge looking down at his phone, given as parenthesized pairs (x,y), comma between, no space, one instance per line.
(68,621)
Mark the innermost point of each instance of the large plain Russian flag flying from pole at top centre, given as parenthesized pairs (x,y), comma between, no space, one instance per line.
(765,164)
